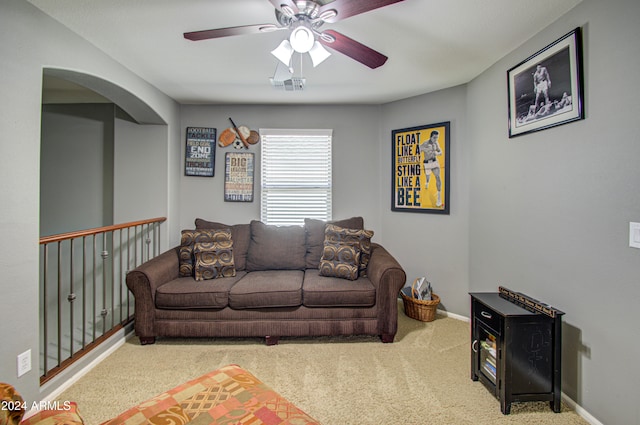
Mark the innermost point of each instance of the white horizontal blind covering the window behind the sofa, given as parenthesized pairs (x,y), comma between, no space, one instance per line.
(296,175)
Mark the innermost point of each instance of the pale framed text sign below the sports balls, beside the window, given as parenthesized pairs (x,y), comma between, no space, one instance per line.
(238,176)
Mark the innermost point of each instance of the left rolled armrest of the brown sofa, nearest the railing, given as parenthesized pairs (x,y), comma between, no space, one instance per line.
(143,282)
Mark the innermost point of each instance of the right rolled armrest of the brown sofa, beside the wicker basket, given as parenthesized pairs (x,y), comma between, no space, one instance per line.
(388,277)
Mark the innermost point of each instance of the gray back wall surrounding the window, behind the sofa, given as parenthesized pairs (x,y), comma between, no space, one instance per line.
(355,160)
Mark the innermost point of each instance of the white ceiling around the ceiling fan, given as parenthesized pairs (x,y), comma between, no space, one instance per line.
(431,45)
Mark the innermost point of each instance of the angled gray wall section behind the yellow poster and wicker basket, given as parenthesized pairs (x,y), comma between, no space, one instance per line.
(431,245)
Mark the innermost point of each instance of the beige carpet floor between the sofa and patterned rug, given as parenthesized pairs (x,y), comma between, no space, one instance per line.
(422,378)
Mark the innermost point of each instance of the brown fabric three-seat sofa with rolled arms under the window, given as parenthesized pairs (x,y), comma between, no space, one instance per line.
(277,289)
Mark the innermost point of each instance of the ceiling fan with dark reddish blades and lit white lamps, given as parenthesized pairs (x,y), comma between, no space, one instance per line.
(304,18)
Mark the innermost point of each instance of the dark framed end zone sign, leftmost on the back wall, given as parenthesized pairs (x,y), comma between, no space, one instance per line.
(200,152)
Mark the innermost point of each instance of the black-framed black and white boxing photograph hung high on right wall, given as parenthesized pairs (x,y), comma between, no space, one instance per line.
(546,89)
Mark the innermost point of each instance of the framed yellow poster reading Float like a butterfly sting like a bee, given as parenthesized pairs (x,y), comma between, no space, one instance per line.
(420,162)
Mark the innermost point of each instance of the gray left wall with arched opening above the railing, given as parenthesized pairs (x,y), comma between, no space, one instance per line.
(29,43)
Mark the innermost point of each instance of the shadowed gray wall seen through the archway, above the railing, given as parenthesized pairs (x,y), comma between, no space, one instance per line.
(76,166)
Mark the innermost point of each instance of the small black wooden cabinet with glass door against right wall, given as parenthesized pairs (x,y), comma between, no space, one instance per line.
(515,350)
